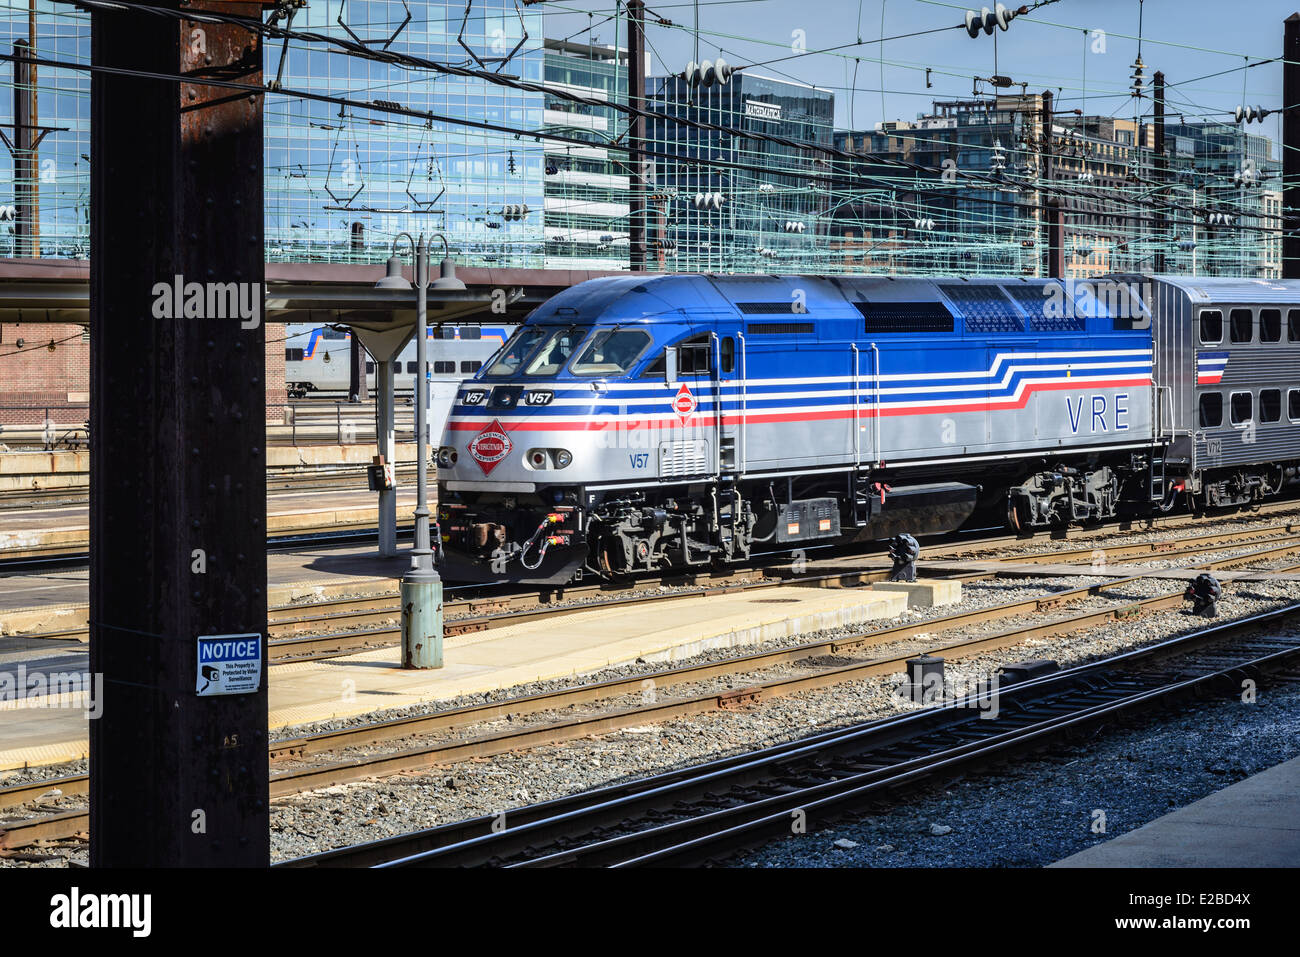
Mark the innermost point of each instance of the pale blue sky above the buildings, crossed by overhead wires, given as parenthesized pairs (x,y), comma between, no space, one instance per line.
(1055,47)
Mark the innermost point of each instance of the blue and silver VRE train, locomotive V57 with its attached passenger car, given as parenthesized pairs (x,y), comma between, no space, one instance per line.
(642,423)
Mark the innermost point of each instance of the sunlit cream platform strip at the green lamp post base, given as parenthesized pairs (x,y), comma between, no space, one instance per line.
(579,643)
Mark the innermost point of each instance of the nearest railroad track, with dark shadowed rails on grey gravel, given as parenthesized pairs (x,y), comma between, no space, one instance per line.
(705,813)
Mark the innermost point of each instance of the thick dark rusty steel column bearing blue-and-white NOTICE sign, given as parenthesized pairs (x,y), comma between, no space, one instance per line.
(179,488)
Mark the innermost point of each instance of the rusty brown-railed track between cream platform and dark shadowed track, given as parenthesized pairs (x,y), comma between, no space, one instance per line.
(522,737)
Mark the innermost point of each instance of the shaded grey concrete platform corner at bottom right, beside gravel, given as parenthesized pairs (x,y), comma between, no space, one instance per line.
(1253,824)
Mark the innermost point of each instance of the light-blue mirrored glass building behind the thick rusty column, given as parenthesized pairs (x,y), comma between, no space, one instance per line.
(341,183)
